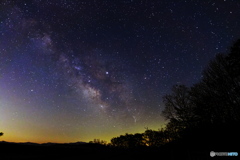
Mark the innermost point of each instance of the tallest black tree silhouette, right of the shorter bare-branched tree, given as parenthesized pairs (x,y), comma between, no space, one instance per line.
(217,96)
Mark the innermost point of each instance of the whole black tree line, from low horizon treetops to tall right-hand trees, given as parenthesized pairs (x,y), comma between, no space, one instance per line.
(205,112)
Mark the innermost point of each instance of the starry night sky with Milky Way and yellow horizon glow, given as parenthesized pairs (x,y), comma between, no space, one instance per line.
(75,70)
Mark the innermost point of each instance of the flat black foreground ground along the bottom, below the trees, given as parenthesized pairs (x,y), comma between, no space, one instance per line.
(78,151)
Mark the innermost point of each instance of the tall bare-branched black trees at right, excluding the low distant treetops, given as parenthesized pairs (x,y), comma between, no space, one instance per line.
(214,100)
